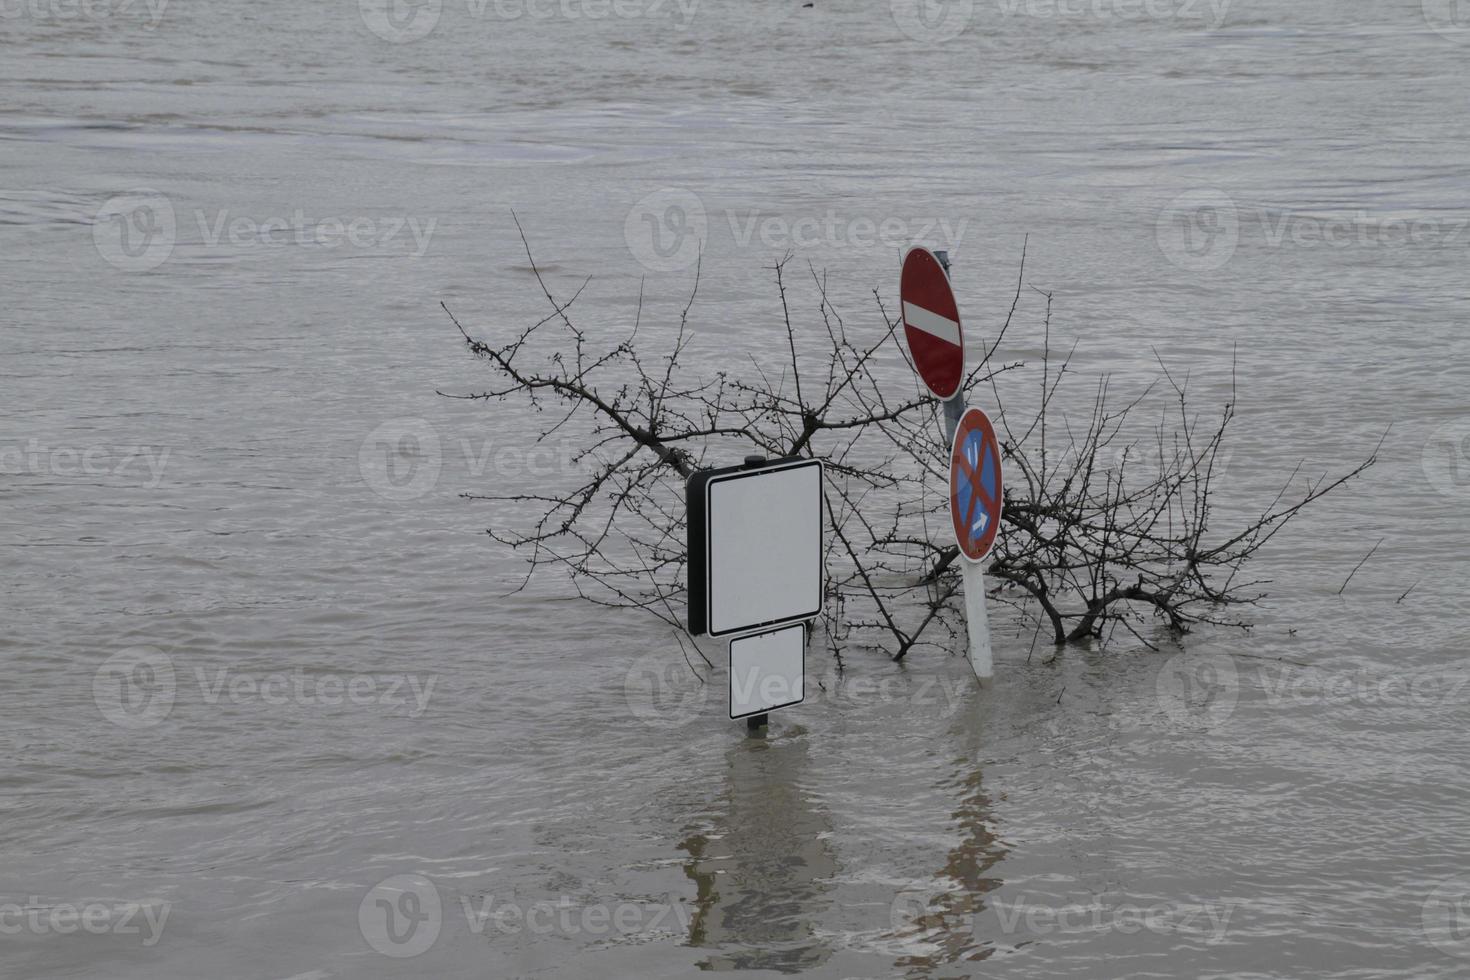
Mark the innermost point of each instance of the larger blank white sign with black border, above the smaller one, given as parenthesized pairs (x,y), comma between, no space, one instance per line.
(765,547)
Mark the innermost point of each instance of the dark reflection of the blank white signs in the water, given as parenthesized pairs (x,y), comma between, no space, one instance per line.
(762,871)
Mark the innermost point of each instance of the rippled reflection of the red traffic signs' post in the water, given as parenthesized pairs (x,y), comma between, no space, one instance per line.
(944,919)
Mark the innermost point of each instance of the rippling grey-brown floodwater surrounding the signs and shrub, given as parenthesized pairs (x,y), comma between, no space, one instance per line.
(268,710)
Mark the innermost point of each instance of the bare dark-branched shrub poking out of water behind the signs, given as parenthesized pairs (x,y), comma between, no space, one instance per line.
(1108,522)
